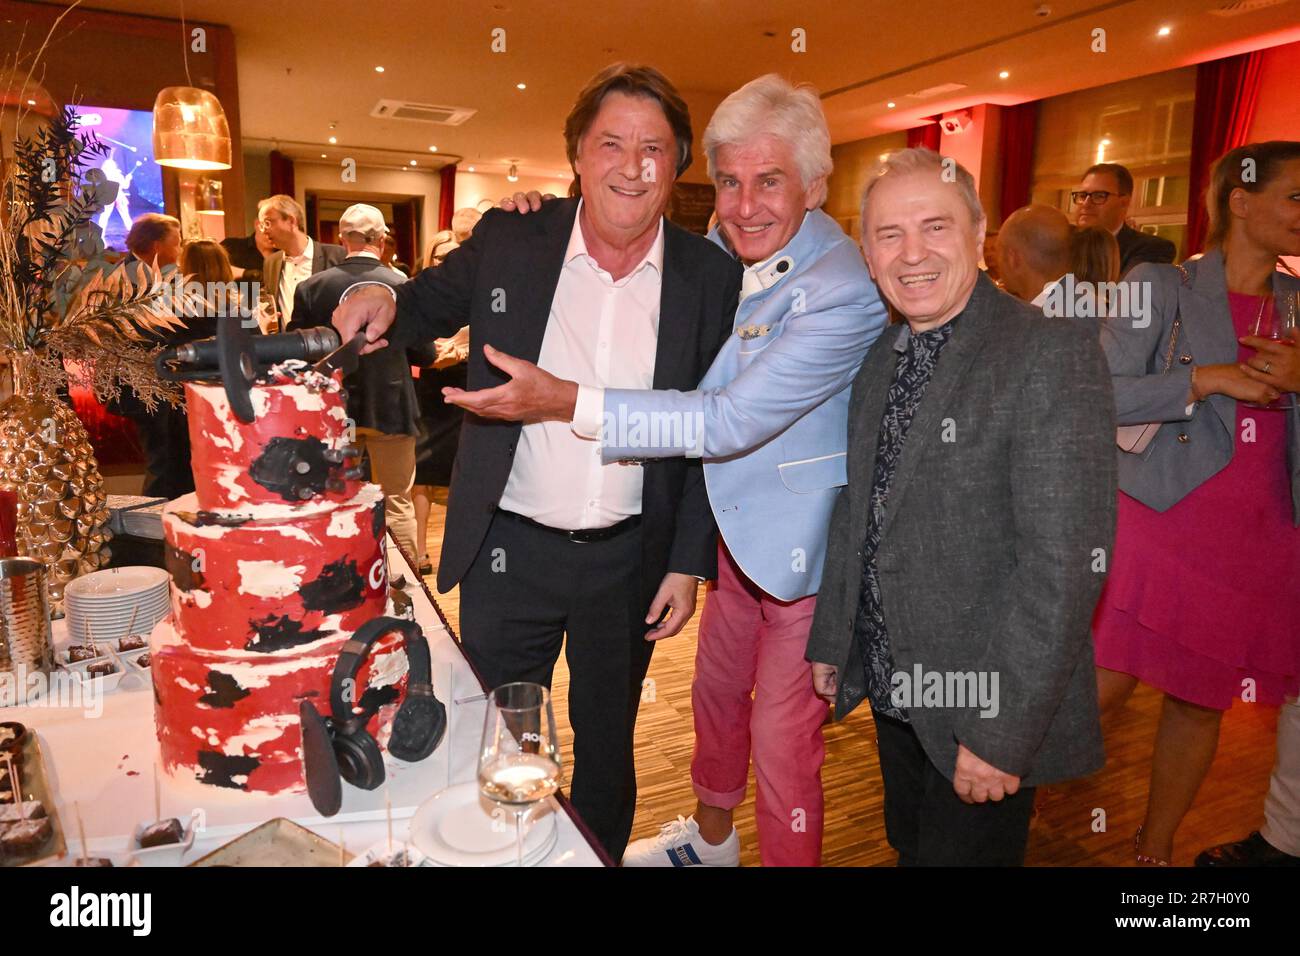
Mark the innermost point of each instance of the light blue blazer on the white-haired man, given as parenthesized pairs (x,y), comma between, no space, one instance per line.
(770,418)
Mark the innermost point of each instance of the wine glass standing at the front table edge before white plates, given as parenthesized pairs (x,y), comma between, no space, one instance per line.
(519,763)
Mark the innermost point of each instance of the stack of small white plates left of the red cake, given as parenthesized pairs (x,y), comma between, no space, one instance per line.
(101,605)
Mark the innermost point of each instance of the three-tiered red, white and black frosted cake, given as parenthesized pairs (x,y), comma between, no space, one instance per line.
(276,560)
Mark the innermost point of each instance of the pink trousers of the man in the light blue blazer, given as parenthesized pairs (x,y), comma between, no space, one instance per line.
(753,698)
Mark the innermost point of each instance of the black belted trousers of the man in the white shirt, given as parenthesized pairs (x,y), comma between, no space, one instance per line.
(526,591)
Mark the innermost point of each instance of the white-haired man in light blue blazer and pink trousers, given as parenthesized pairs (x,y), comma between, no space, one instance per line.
(770,422)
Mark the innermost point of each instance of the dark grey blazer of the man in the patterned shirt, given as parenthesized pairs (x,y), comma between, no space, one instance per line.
(990,552)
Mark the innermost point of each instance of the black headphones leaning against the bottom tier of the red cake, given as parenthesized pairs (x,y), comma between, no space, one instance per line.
(340,749)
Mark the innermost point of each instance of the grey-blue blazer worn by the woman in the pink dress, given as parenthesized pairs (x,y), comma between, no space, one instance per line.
(1189,449)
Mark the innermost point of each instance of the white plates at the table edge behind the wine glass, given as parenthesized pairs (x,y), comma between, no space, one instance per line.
(458,828)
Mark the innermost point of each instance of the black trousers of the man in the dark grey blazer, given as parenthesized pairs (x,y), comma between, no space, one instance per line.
(930,825)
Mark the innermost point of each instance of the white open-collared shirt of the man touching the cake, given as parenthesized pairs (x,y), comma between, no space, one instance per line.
(604,332)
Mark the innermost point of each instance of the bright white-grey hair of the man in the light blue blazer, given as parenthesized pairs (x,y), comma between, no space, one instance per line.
(777,107)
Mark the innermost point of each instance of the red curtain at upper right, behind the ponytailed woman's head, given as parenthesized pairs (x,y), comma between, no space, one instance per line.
(1228,93)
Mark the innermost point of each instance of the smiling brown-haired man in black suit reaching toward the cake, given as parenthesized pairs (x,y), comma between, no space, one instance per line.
(545,542)
